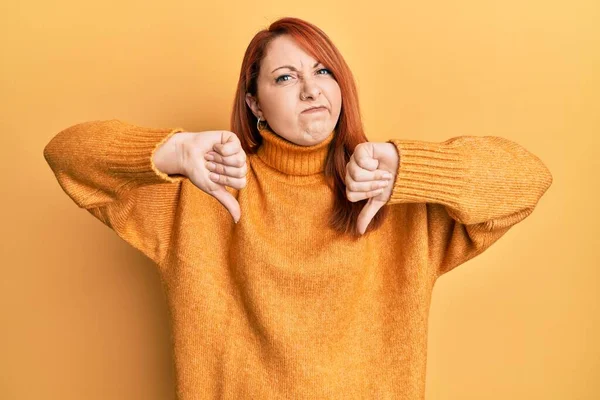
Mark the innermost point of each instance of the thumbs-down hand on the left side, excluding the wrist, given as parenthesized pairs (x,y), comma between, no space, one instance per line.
(212,160)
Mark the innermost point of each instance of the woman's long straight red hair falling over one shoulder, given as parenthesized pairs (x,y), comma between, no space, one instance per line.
(349,128)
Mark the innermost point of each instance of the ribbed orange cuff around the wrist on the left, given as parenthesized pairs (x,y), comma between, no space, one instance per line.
(131,153)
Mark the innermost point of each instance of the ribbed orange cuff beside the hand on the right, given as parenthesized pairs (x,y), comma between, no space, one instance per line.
(428,172)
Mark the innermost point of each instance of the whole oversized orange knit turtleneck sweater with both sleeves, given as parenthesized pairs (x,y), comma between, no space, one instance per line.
(279,306)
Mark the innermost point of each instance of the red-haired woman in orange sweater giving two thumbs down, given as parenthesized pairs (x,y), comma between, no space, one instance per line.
(316,291)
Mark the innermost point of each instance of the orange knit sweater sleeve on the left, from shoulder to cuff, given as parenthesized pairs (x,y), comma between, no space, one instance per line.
(106,167)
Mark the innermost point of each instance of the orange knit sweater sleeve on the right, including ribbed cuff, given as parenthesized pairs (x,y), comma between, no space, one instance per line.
(475,189)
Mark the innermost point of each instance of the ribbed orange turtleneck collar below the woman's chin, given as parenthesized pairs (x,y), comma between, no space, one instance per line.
(291,158)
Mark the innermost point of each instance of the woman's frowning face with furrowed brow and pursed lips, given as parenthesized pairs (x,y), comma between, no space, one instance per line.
(285,92)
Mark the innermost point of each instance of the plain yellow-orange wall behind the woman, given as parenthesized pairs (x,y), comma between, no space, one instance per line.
(83,314)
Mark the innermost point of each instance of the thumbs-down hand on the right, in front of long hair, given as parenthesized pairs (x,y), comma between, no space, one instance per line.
(371,173)
